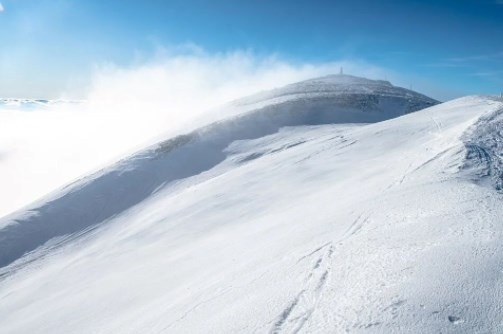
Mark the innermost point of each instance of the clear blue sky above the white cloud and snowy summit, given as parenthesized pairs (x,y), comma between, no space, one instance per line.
(47,46)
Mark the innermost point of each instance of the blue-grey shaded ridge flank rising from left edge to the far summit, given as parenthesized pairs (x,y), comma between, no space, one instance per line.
(113,190)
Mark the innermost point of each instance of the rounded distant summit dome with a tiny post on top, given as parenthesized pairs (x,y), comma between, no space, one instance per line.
(339,98)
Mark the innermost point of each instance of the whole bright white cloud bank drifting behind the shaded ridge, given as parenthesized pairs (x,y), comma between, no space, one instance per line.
(128,108)
